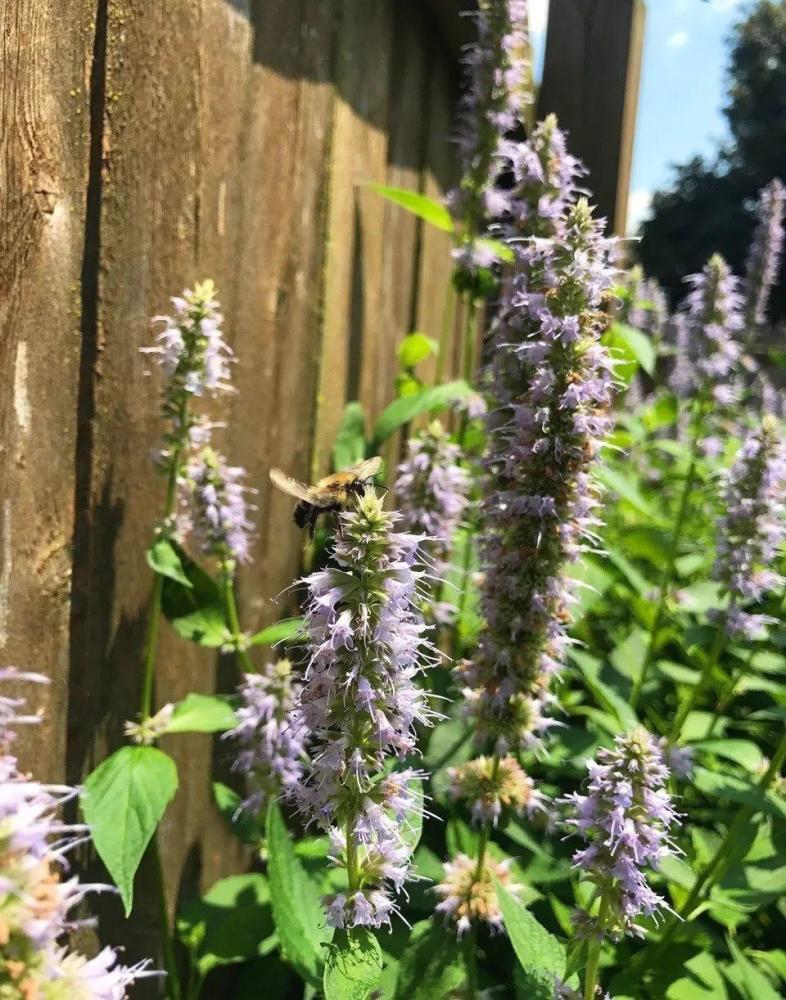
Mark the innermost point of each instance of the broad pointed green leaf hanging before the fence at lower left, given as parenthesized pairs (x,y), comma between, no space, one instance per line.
(123,801)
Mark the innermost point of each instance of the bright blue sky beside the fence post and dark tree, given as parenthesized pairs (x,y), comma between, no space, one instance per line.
(682,87)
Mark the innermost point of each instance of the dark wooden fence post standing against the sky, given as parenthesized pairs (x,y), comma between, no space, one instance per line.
(591,82)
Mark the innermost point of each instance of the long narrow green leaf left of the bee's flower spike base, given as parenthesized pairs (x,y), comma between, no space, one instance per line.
(297,908)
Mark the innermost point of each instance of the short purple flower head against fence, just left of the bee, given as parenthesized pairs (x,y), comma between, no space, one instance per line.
(215,499)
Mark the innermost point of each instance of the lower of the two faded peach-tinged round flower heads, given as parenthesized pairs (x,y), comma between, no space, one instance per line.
(468,897)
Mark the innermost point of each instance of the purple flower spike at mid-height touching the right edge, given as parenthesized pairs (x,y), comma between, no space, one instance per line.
(752,529)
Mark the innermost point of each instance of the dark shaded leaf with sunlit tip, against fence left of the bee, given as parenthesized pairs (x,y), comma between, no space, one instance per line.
(195,612)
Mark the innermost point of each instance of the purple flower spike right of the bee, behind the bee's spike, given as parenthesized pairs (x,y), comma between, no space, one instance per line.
(432,489)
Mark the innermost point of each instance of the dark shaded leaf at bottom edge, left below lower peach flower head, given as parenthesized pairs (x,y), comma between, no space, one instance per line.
(431,966)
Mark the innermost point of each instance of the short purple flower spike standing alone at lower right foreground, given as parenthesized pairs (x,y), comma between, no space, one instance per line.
(625,819)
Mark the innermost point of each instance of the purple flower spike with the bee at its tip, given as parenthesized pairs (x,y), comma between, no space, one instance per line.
(359,706)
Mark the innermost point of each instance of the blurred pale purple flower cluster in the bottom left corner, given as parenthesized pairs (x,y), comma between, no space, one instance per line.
(35,902)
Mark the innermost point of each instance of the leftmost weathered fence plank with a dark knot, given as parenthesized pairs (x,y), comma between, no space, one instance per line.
(45,59)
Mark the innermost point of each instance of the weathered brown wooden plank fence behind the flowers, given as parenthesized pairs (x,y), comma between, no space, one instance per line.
(146,146)
